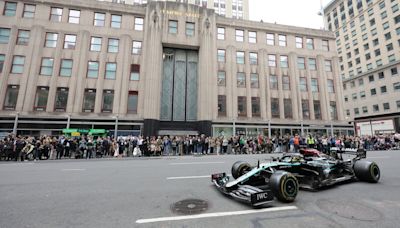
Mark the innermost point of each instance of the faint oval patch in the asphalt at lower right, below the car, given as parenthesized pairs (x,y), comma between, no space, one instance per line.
(349,209)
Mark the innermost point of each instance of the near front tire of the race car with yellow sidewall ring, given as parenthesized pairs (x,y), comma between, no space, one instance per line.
(284,186)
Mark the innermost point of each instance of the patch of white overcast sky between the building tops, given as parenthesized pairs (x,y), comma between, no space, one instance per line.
(303,13)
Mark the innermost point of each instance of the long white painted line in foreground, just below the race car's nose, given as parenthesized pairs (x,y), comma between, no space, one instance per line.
(217,214)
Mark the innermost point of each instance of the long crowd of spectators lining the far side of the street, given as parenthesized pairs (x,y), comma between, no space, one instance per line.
(20,148)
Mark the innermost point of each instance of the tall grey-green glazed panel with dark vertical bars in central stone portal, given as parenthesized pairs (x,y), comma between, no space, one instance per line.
(179,85)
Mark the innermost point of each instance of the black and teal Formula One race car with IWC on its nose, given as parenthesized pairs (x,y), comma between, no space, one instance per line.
(282,177)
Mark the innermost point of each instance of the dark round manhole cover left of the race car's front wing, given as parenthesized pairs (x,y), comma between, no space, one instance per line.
(189,206)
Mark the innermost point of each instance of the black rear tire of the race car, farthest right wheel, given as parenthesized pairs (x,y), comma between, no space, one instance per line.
(367,171)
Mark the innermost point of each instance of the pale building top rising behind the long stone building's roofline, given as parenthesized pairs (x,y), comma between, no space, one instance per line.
(229,8)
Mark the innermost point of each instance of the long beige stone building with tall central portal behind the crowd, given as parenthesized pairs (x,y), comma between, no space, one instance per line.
(163,68)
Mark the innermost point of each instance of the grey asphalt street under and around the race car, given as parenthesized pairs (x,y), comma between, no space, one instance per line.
(139,193)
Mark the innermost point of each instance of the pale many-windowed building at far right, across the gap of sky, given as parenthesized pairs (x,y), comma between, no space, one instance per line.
(368,43)
